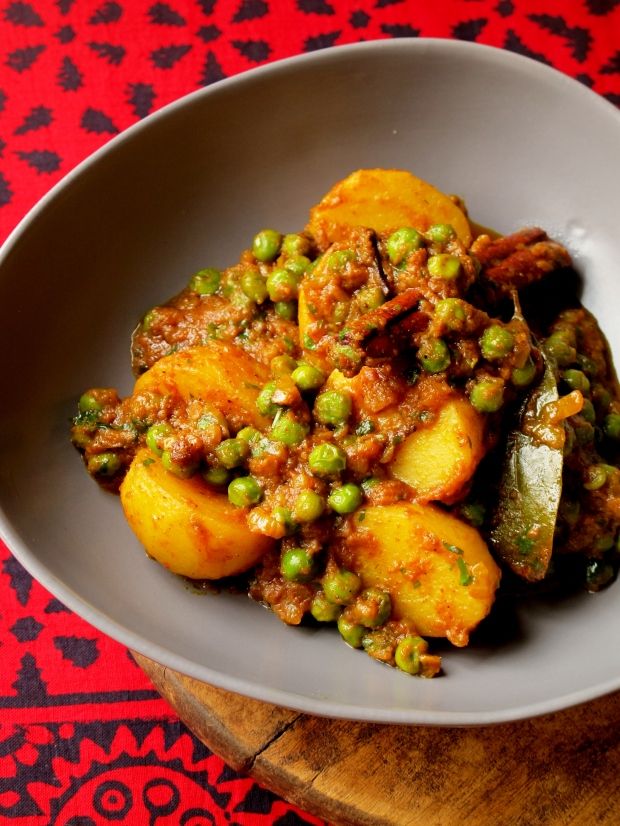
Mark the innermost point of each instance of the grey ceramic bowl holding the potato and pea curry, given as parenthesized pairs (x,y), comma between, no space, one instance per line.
(188,187)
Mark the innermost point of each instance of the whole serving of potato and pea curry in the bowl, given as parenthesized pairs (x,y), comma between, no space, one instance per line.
(369,423)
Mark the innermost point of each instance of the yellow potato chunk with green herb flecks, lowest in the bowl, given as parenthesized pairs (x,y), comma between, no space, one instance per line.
(437,570)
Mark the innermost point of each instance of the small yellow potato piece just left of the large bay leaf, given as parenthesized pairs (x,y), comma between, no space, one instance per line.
(439,460)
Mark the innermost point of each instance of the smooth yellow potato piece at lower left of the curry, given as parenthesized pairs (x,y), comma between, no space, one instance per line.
(186,525)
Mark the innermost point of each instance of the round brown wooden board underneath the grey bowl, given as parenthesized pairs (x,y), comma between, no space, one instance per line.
(558,769)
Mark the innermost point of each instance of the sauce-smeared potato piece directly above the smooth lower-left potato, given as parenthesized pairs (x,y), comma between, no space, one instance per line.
(219,373)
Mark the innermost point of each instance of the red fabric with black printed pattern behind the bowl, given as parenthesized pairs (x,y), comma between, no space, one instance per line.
(84,738)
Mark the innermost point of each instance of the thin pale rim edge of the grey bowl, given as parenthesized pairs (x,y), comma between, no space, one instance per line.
(124,635)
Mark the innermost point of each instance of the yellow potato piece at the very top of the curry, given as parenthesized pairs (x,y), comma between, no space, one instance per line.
(385,199)
